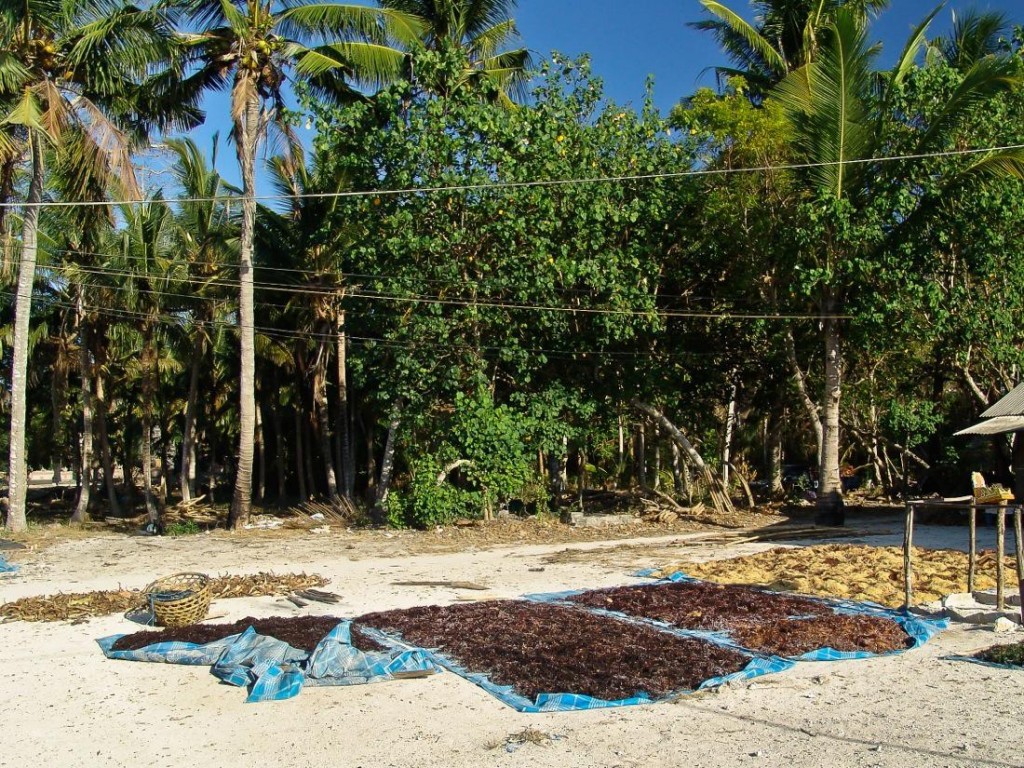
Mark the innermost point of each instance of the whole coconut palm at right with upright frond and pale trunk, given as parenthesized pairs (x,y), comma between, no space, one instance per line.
(837,108)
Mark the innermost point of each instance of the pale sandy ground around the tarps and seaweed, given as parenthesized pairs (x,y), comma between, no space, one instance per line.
(65,704)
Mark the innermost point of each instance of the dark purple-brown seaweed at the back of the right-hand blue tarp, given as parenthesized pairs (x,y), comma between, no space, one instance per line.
(695,606)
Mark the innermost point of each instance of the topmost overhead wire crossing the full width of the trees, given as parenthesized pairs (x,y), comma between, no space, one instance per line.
(500,186)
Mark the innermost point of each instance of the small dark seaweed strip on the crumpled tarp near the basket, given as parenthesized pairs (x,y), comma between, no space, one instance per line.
(301,632)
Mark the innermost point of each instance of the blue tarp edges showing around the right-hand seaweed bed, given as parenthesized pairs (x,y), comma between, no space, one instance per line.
(920,630)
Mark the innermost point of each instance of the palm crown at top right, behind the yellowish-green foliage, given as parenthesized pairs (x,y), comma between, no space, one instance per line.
(785,36)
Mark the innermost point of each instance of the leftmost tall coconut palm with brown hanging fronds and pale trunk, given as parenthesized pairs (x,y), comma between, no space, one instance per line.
(69,68)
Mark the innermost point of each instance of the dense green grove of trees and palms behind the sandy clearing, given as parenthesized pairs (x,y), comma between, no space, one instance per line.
(459,302)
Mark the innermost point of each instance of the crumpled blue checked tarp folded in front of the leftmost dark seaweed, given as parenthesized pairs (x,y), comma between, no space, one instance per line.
(274,671)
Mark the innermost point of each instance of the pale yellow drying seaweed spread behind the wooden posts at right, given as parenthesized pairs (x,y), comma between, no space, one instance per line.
(855,573)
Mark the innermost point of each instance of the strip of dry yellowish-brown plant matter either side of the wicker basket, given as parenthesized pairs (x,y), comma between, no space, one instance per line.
(75,607)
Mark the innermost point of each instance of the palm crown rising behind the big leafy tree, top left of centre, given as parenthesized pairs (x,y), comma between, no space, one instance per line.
(484,30)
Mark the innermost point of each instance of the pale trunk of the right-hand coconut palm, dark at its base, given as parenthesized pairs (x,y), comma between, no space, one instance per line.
(830,500)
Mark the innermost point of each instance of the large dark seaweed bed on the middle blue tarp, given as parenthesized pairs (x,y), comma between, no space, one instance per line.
(540,649)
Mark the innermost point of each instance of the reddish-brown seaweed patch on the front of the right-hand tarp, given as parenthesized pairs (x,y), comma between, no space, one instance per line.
(788,637)
